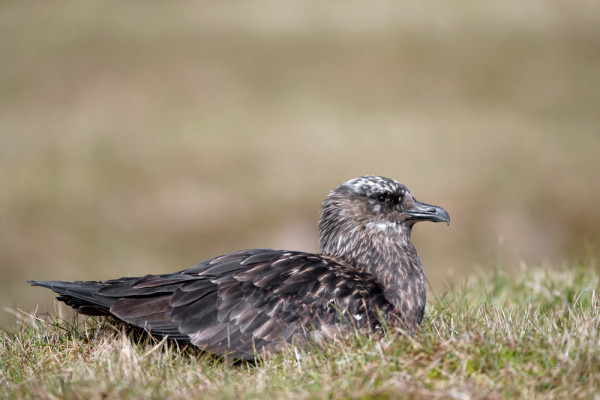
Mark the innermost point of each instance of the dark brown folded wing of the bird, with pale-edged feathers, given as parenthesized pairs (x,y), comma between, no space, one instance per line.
(240,303)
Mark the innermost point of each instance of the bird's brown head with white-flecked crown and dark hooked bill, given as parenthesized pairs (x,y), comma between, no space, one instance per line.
(371,207)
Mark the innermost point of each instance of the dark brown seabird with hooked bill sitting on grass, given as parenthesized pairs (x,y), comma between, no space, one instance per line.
(251,302)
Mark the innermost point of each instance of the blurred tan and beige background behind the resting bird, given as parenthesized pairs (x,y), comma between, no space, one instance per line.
(142,139)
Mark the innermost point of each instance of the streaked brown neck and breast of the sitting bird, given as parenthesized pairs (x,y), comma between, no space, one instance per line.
(393,262)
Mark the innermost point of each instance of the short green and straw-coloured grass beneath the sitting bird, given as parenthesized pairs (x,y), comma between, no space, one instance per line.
(532,335)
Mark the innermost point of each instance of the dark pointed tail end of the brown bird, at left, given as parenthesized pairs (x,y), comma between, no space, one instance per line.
(81,296)
